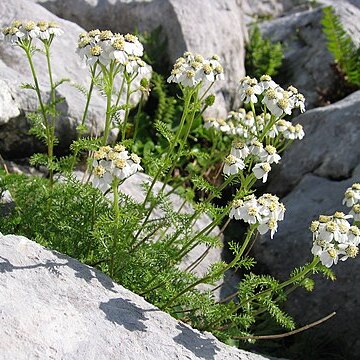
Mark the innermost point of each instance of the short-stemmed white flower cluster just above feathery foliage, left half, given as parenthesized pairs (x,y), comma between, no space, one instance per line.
(110,163)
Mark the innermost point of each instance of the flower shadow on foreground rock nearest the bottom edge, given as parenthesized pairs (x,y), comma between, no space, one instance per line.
(193,341)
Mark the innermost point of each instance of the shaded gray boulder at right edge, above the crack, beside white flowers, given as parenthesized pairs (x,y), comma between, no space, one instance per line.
(329,149)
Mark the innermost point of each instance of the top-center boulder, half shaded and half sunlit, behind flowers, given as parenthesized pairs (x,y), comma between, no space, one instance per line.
(220,31)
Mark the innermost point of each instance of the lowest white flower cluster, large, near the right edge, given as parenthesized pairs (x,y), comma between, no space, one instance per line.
(334,238)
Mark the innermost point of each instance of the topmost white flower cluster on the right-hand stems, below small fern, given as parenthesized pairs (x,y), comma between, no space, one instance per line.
(277,100)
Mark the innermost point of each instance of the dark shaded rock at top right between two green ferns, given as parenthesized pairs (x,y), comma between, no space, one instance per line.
(307,62)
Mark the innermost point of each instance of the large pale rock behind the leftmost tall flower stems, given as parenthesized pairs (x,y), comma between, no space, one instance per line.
(14,70)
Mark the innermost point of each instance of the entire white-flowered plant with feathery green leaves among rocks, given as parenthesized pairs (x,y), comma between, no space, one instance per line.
(129,240)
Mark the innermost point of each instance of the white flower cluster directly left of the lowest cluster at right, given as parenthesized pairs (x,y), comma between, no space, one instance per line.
(265,211)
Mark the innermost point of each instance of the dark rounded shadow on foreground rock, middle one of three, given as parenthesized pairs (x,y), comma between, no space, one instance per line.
(124,312)
